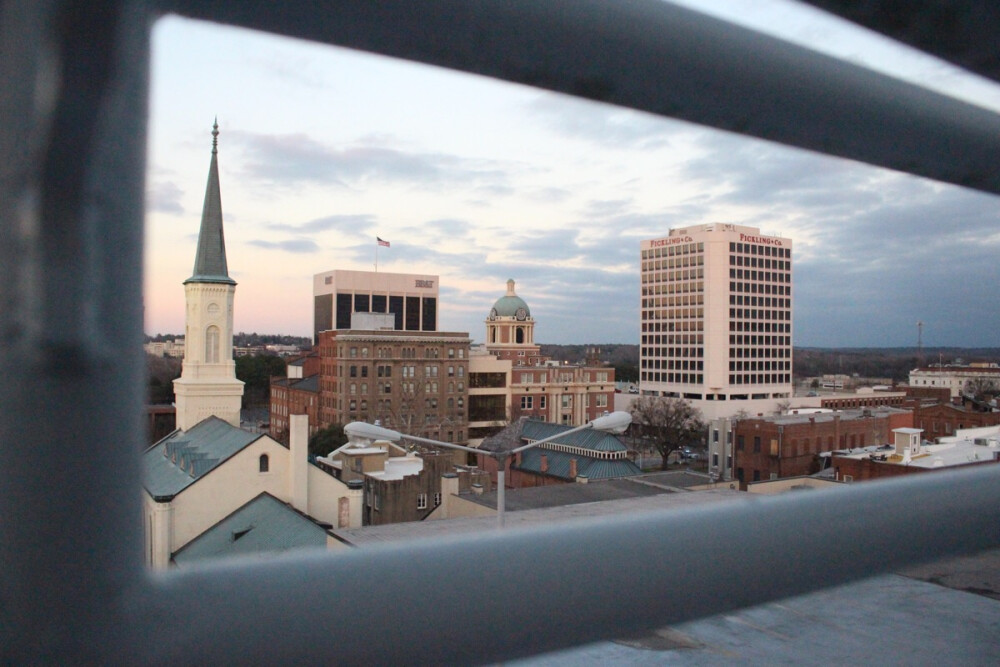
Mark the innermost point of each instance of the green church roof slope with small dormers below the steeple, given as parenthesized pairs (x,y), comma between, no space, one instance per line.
(183,457)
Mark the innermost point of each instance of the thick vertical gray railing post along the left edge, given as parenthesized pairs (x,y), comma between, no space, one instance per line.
(71,424)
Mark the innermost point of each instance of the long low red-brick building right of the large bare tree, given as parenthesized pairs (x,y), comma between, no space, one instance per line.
(788,445)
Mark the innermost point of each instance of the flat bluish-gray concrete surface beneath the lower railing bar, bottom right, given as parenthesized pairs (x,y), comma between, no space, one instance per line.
(889,619)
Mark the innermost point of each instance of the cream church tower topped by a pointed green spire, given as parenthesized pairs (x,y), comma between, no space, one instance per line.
(208,385)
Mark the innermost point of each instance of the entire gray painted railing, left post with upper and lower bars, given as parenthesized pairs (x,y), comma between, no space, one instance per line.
(72,142)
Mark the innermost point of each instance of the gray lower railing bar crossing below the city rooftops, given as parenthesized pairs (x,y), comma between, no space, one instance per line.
(501,595)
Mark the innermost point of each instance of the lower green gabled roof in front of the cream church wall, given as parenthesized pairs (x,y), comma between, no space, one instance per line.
(265,525)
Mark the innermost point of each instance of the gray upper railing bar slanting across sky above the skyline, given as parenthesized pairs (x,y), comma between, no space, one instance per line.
(656,57)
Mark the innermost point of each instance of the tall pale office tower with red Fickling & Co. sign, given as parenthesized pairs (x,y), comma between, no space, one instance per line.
(716,313)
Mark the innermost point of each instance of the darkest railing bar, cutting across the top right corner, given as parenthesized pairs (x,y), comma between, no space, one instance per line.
(959,31)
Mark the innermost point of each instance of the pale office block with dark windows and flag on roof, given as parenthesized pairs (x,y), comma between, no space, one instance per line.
(410,298)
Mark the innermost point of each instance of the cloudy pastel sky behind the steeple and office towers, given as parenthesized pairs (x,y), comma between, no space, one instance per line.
(322,149)
